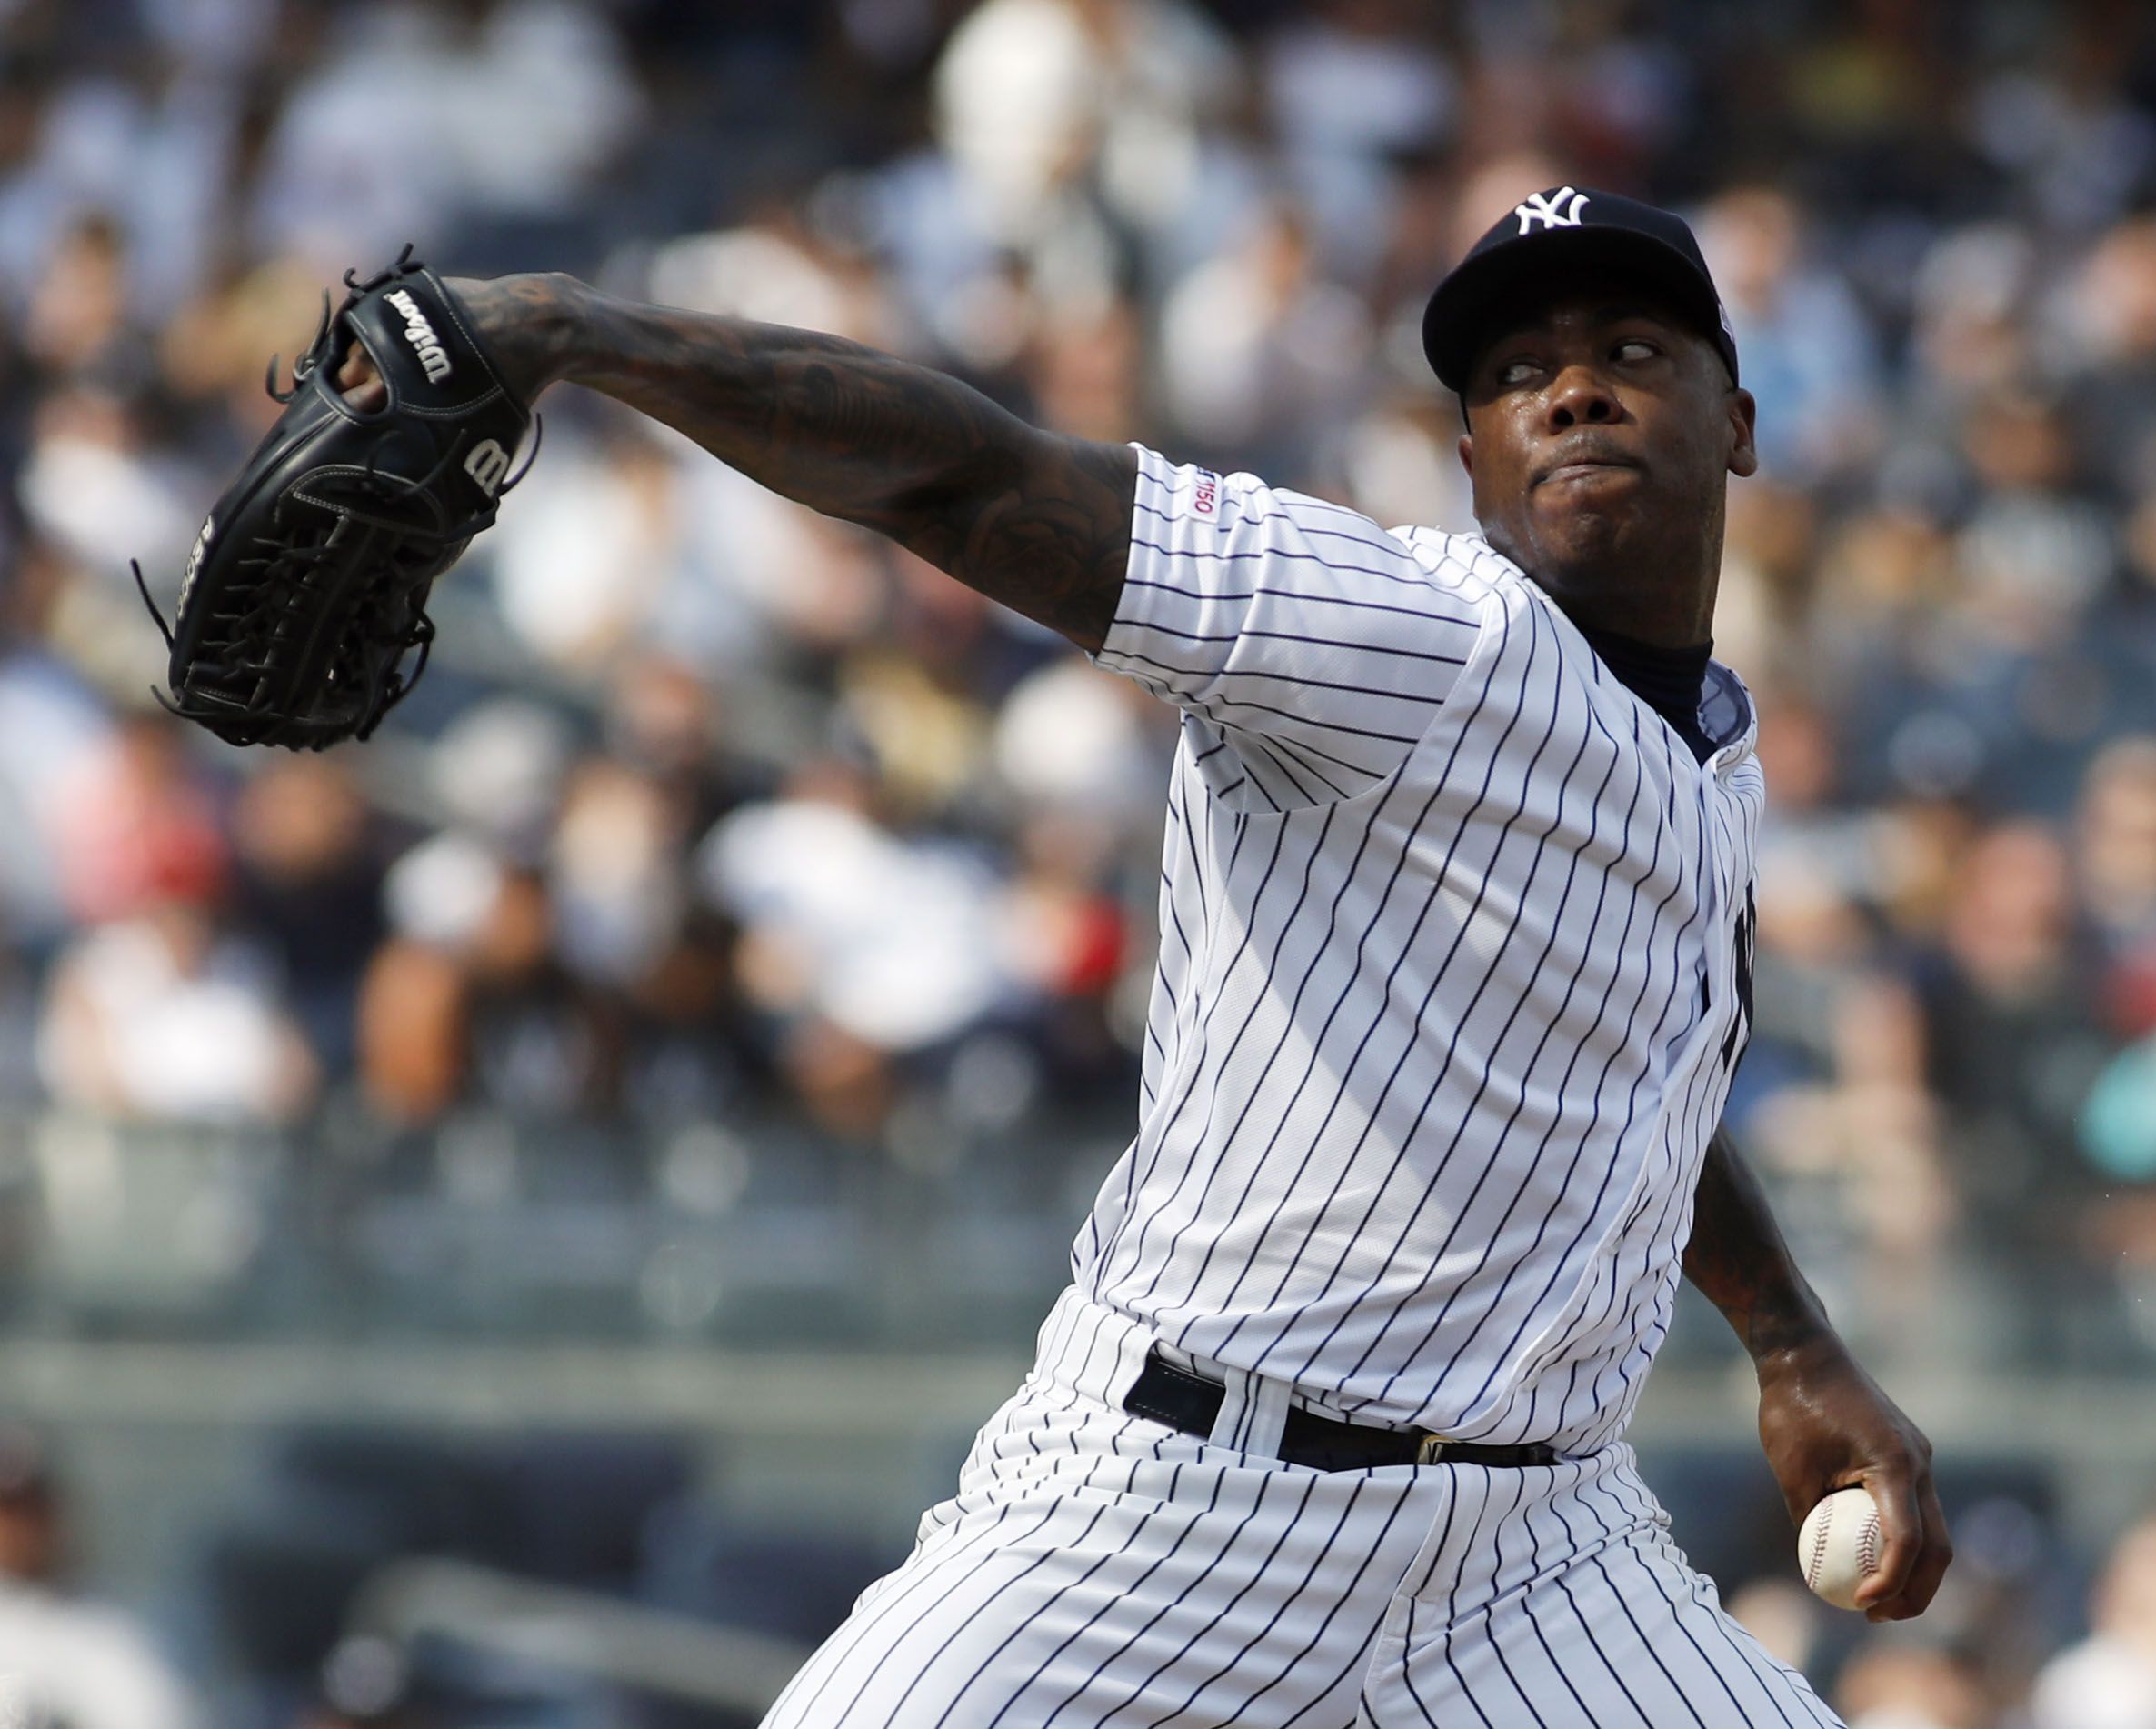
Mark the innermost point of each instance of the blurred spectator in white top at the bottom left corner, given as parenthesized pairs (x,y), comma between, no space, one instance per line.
(64,1659)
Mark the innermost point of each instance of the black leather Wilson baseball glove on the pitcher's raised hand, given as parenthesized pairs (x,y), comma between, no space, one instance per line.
(309,581)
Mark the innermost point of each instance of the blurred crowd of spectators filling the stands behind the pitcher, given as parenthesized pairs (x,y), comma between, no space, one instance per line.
(715,807)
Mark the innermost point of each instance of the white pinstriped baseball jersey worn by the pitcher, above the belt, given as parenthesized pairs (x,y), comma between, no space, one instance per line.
(1454,976)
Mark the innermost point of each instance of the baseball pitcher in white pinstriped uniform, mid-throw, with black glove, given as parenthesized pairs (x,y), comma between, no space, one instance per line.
(1456,932)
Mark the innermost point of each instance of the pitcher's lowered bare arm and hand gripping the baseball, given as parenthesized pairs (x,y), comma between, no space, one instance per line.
(1825,1424)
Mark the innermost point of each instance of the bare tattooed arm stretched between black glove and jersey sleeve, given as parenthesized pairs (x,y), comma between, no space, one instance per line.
(1034,521)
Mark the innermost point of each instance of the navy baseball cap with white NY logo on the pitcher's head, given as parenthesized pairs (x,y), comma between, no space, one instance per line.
(1571,236)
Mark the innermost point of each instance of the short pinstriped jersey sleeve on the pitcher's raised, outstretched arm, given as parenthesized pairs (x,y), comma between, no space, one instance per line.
(1308,648)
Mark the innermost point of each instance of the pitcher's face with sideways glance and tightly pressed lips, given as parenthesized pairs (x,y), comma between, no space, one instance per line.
(1601,432)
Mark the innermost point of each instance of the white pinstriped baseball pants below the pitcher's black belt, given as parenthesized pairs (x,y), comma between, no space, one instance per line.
(1105,1573)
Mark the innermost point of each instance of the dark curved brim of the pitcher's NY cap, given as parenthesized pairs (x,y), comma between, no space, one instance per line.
(1469,303)
